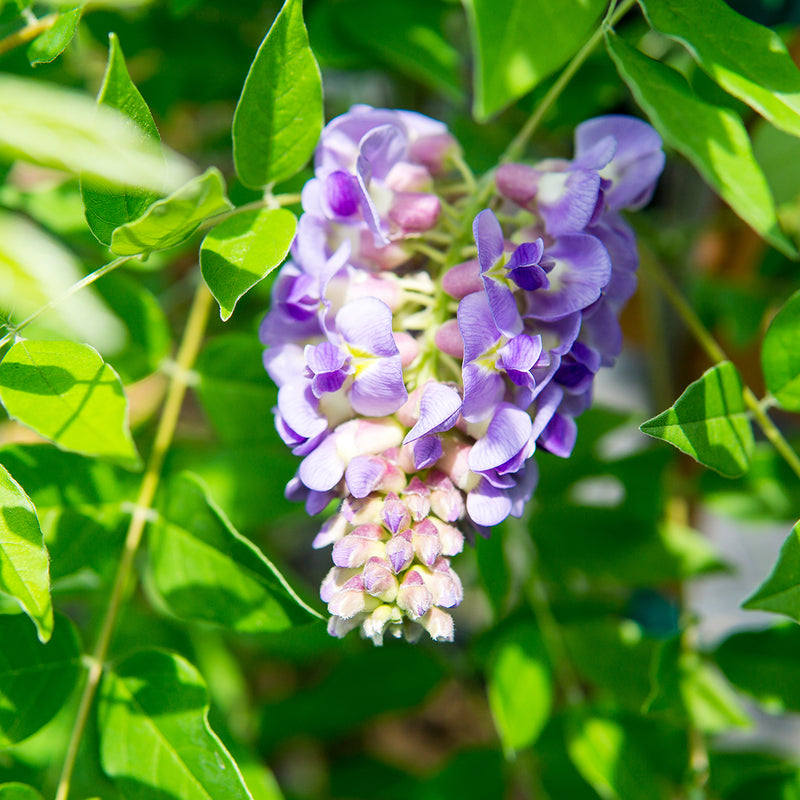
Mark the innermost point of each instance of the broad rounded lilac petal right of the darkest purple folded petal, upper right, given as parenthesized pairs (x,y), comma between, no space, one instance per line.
(582,270)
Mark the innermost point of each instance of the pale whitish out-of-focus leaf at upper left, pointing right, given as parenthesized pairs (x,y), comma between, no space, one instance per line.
(60,128)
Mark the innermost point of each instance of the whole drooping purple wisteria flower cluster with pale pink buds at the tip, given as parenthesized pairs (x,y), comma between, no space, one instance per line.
(417,375)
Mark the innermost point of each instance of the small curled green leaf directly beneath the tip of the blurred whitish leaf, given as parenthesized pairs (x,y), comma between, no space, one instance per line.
(171,221)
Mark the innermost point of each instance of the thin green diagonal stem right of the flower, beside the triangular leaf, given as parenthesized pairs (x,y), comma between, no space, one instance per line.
(656,272)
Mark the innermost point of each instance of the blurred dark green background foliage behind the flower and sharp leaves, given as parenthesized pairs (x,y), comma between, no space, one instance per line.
(578,631)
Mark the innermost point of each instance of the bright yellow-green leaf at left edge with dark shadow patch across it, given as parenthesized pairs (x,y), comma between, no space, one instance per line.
(65,392)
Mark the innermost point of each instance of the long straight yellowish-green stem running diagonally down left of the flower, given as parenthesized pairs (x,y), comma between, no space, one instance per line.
(187,352)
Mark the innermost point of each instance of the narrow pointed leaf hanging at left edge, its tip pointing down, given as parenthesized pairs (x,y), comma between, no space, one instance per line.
(24,565)
